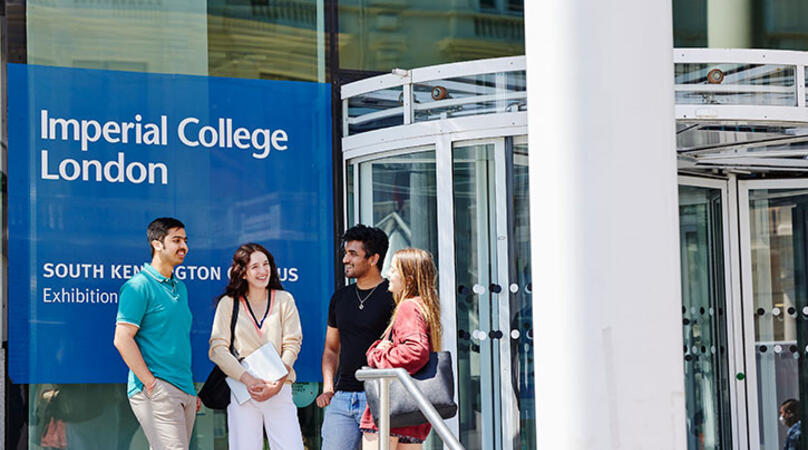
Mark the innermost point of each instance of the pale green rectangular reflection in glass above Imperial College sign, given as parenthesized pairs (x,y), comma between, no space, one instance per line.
(142,36)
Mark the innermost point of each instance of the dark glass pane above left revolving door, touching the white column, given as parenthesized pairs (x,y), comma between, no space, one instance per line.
(380,37)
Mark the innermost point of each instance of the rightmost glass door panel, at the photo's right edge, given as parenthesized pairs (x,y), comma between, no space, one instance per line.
(777,250)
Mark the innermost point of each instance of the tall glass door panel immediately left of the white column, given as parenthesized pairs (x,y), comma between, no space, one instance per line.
(494,294)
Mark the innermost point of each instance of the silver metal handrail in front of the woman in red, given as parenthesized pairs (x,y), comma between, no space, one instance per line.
(384,376)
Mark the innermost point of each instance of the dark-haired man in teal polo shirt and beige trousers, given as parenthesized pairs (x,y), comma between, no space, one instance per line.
(153,335)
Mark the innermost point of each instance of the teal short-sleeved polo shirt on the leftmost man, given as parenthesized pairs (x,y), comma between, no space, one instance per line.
(158,306)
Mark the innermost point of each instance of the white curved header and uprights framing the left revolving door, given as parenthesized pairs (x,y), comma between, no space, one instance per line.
(442,139)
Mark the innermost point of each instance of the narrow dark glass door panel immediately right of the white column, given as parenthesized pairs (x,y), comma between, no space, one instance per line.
(707,376)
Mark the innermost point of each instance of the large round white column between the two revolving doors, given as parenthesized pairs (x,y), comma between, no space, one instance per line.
(604,225)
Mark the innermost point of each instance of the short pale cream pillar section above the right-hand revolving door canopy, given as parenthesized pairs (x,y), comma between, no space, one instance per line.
(729,23)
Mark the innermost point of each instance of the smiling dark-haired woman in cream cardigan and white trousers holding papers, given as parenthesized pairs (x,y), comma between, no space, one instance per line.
(266,313)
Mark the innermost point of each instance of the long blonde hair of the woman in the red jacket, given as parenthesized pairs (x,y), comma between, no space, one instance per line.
(417,271)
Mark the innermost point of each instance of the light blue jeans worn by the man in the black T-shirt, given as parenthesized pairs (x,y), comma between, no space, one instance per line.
(341,421)
